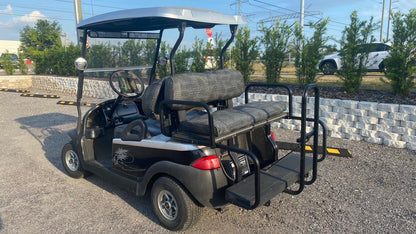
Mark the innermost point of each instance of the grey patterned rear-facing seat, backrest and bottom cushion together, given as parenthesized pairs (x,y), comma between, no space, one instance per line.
(220,85)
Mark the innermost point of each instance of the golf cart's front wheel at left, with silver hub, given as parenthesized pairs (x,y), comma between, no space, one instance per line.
(72,162)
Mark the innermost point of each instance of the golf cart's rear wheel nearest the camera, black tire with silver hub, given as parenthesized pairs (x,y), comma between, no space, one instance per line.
(173,206)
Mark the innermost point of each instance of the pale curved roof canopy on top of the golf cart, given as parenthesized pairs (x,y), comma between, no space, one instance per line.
(157,18)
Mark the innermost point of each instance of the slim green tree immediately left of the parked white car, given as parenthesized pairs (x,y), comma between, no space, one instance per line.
(309,52)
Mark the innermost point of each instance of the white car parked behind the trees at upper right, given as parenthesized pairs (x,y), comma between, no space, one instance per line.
(377,53)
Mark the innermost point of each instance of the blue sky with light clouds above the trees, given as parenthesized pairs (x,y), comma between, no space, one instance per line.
(15,14)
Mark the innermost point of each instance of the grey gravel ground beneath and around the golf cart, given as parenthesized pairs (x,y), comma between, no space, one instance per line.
(373,192)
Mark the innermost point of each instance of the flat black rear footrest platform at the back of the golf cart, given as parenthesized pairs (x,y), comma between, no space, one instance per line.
(273,181)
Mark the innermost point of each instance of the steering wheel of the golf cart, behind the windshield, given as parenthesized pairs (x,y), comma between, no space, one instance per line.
(126,84)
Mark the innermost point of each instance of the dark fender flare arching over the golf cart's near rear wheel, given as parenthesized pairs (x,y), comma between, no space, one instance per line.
(205,186)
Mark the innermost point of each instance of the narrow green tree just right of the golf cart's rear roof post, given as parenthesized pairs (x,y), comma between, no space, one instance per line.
(244,53)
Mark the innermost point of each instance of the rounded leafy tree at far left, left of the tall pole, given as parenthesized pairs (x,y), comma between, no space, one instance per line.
(44,35)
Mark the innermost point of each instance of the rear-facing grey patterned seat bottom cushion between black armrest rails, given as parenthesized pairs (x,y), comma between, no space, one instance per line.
(232,119)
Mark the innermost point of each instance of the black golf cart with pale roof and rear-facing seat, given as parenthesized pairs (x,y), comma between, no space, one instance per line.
(179,137)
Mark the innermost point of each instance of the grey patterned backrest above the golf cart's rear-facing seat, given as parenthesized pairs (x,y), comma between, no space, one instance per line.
(205,87)
